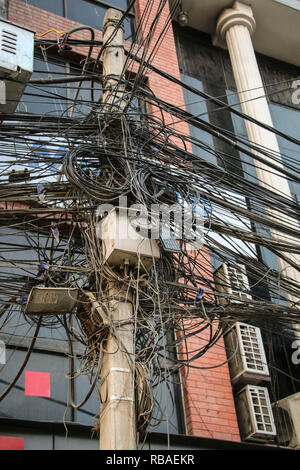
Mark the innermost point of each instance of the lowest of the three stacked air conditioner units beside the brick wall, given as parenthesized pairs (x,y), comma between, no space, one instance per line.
(254,413)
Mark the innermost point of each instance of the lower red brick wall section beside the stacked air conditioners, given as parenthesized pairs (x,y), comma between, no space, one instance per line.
(208,398)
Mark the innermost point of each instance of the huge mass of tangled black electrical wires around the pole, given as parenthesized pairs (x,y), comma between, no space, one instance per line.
(57,169)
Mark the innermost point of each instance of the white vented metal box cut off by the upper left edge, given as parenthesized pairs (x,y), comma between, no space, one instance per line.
(16,63)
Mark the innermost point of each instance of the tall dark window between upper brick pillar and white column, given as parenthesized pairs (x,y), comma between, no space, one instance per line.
(199,62)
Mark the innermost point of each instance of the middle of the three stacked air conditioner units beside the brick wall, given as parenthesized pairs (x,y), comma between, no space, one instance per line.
(245,350)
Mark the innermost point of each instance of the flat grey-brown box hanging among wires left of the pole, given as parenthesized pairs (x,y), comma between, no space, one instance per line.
(51,300)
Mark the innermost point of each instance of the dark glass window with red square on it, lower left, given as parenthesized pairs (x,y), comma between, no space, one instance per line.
(56,407)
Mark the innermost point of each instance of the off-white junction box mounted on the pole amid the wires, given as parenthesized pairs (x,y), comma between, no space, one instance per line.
(122,243)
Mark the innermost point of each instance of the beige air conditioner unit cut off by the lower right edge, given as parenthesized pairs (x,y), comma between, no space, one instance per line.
(287,420)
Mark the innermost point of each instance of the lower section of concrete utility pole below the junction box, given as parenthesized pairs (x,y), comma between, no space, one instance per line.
(117,414)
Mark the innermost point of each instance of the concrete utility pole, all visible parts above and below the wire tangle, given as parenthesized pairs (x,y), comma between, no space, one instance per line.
(117,414)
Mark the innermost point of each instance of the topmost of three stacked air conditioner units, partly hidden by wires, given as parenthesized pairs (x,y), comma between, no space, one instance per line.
(232,283)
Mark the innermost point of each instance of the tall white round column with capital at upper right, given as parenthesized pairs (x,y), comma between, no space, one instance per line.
(235,26)
